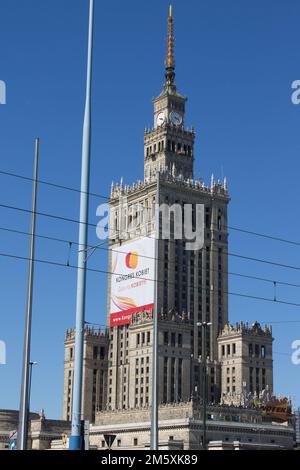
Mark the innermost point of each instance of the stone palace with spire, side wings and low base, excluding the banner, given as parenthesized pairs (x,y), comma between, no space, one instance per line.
(192,288)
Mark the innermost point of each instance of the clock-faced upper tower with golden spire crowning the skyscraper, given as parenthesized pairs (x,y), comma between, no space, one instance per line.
(169,145)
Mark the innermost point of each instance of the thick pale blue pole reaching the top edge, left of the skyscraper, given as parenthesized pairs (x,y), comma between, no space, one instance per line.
(75,442)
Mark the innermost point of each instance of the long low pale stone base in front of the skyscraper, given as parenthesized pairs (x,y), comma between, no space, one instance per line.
(181,423)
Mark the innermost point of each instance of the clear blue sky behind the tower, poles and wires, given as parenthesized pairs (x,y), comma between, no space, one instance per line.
(235,62)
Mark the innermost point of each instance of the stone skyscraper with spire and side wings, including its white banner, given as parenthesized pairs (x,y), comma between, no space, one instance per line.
(192,288)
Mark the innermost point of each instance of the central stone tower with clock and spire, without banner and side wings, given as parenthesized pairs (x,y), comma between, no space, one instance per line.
(192,284)
